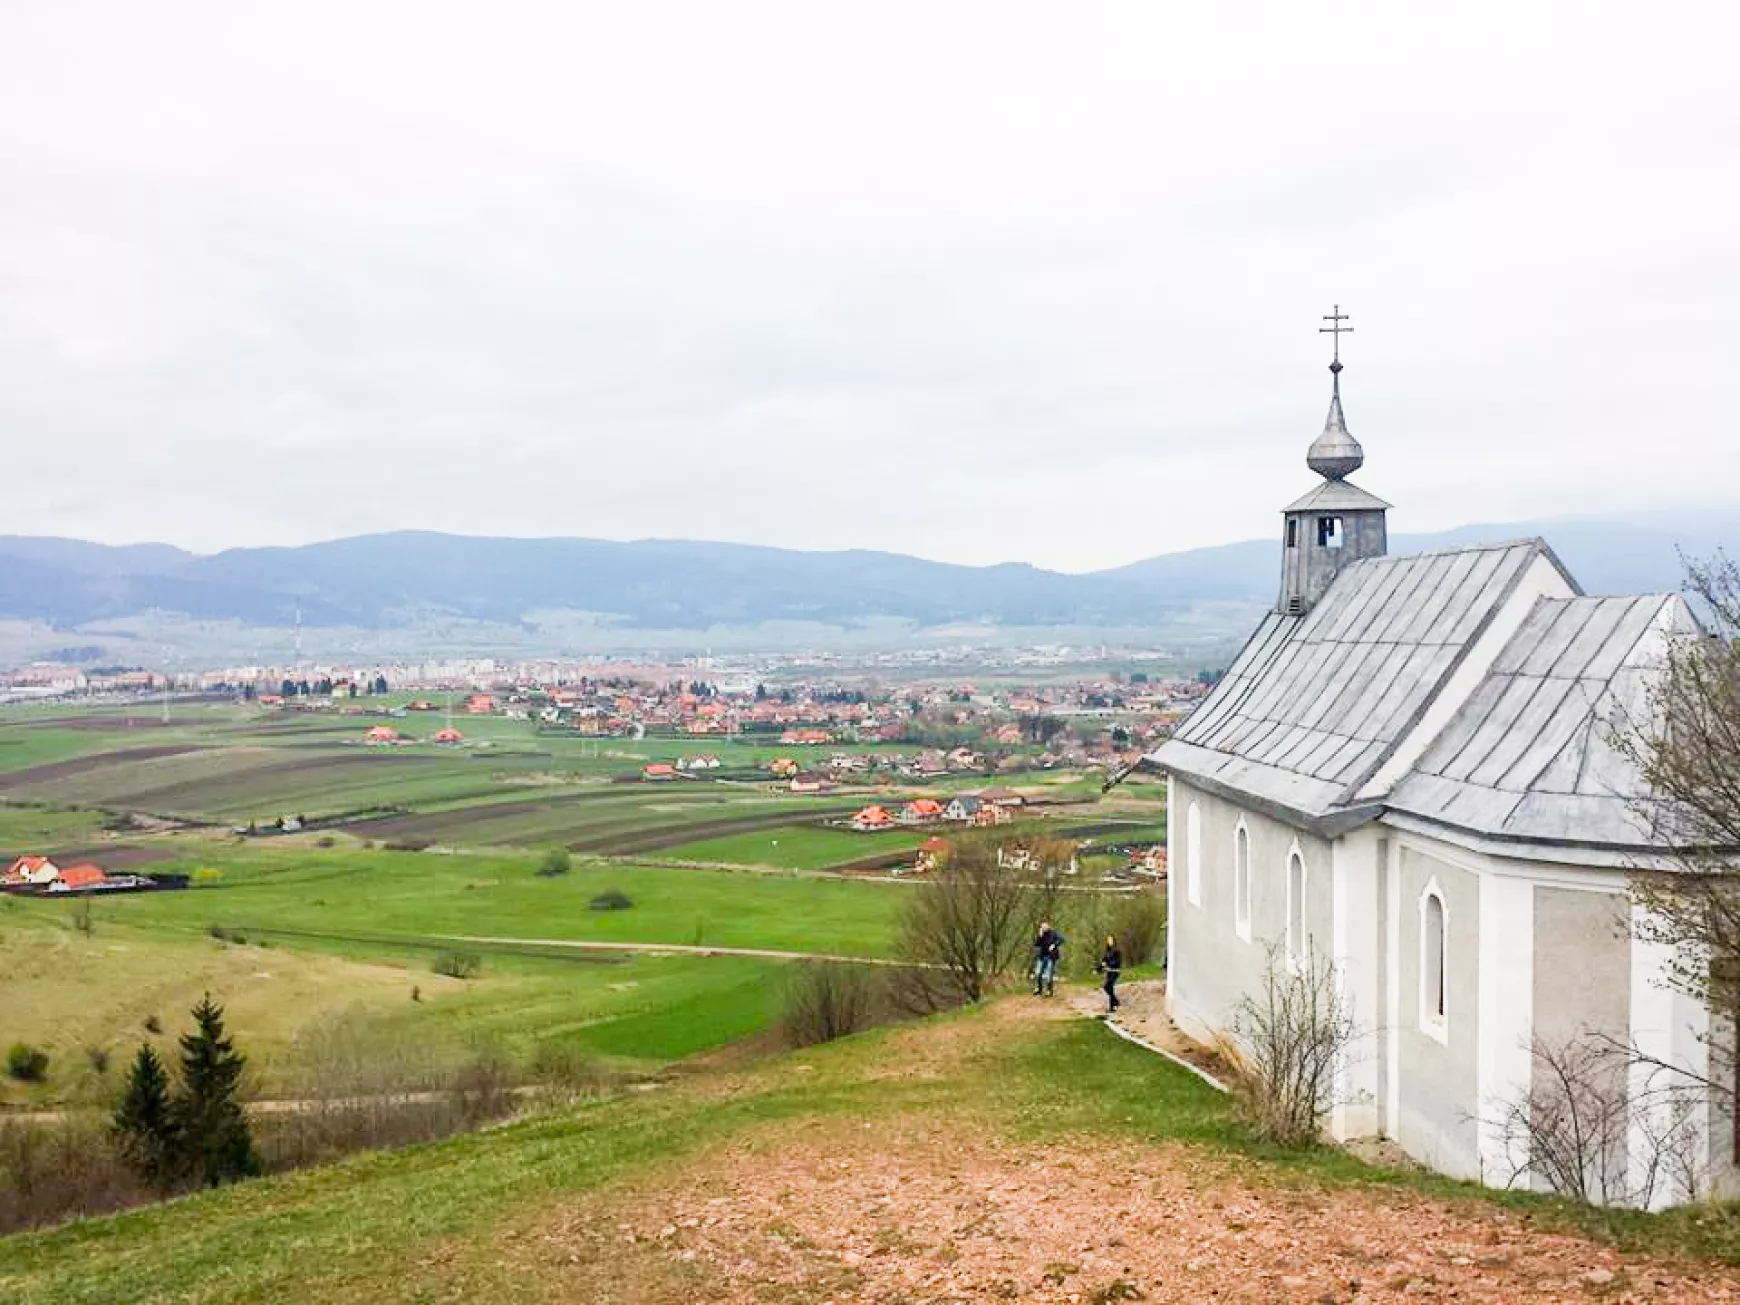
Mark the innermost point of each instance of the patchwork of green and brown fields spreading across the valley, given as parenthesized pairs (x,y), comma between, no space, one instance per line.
(349,930)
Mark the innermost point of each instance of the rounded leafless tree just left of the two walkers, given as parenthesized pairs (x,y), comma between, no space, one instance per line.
(967,928)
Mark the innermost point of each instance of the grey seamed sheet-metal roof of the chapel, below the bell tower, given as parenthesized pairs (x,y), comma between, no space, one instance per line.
(1315,706)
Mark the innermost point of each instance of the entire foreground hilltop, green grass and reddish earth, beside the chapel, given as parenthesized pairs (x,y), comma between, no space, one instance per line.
(1005,1153)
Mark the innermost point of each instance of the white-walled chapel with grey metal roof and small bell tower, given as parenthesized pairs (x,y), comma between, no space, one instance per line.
(1409,770)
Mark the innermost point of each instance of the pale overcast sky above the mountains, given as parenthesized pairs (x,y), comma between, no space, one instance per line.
(972,281)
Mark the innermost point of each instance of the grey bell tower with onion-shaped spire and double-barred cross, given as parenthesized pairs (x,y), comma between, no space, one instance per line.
(1337,523)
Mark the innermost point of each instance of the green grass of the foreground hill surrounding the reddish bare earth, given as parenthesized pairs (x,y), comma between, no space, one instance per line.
(460,1221)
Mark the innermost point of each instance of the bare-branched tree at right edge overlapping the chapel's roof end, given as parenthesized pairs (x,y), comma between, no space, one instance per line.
(1687,749)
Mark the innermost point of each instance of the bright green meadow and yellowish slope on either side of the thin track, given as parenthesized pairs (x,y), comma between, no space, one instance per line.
(349,934)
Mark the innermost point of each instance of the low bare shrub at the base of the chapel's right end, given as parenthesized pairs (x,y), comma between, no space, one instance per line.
(1589,1134)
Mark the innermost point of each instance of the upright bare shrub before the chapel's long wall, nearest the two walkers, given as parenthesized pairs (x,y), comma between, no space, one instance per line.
(1288,1040)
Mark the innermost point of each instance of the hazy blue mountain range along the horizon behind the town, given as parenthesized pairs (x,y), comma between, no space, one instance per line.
(410,582)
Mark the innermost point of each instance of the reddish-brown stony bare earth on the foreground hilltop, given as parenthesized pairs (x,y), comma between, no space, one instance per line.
(916,1210)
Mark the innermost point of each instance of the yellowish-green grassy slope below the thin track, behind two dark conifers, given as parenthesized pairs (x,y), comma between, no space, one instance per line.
(72,996)
